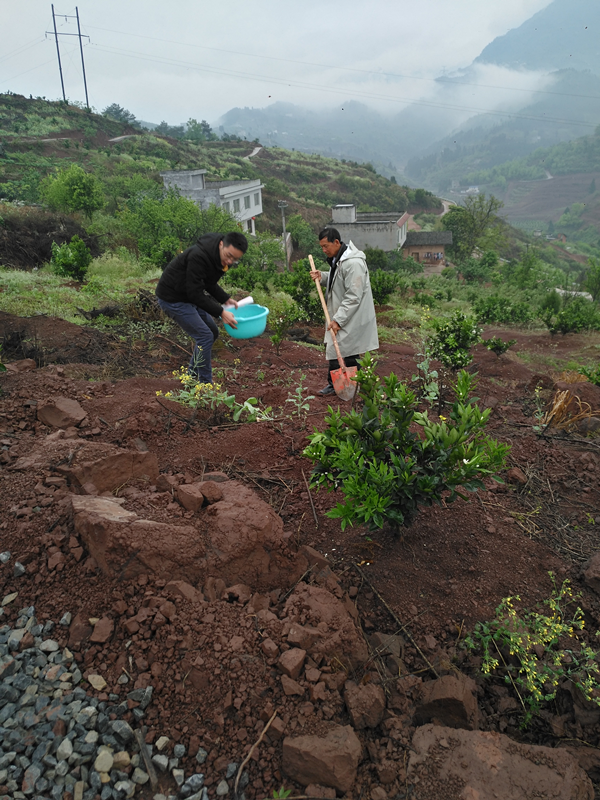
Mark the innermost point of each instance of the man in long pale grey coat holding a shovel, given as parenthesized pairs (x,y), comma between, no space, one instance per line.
(349,302)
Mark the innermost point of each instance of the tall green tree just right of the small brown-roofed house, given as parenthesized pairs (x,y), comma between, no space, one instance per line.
(474,225)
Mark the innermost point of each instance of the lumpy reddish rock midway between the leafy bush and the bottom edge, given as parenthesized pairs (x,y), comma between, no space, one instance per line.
(334,620)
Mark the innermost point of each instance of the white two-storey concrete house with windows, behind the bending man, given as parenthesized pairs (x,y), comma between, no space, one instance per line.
(242,199)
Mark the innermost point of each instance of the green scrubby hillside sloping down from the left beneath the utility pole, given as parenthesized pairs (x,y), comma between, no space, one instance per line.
(37,136)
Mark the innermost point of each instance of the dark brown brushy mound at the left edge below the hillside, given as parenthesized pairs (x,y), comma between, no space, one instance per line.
(26,236)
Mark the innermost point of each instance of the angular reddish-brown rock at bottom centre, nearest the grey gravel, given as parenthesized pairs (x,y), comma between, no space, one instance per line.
(330,760)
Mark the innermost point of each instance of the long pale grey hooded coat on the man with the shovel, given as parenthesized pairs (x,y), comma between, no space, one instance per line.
(350,304)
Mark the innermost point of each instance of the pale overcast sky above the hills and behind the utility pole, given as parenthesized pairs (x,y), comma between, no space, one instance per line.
(190,59)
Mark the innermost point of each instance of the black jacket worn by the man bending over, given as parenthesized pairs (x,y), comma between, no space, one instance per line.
(193,276)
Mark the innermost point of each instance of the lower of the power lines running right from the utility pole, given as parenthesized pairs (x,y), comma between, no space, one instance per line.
(329,90)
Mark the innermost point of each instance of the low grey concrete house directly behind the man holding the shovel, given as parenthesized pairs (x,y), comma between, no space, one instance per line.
(385,230)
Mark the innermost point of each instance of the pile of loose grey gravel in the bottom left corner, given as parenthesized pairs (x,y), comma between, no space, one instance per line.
(57,739)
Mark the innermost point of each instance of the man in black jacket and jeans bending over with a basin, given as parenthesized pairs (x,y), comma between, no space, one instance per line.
(189,293)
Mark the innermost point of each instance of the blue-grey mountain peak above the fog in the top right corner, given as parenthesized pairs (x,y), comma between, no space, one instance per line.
(560,36)
